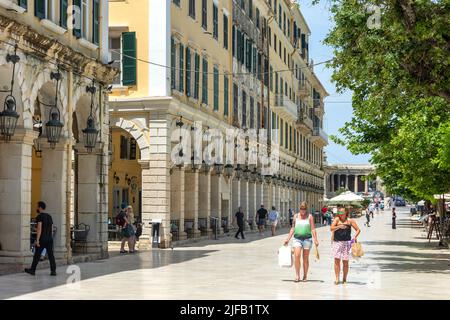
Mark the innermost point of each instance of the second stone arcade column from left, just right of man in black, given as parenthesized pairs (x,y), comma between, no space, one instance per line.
(53,192)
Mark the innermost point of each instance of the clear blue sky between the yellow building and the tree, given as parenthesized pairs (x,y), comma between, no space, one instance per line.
(336,114)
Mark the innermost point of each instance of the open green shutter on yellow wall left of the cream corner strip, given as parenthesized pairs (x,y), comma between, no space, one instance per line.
(129,58)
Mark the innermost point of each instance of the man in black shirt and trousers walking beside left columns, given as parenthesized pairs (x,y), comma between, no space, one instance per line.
(44,240)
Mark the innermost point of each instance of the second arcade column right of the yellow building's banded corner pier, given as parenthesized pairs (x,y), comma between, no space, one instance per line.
(191,199)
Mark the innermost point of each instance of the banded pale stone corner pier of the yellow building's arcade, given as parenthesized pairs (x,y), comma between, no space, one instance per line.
(156,192)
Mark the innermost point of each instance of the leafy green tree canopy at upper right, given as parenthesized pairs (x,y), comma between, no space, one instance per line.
(399,72)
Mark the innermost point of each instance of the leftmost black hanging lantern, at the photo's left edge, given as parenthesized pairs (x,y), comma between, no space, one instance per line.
(9,115)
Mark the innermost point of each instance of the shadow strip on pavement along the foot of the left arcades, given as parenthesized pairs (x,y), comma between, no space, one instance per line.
(19,284)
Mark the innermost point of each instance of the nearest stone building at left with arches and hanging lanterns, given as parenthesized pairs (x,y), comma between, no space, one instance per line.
(57,62)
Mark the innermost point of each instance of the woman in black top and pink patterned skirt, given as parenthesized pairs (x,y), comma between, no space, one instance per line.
(342,242)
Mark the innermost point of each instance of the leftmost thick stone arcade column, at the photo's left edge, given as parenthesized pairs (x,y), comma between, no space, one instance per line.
(15,191)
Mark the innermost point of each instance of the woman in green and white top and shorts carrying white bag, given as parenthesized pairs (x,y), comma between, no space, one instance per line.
(304,233)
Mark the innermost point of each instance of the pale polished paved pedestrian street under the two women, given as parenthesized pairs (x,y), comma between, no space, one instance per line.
(398,264)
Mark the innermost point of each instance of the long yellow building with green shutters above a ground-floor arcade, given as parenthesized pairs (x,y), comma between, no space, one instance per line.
(216,62)
